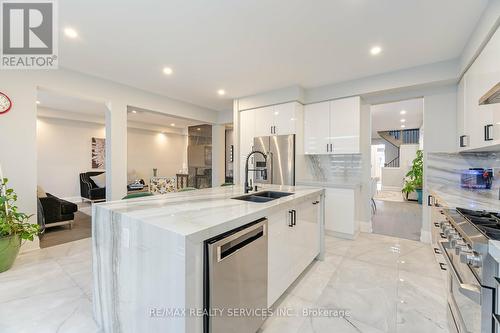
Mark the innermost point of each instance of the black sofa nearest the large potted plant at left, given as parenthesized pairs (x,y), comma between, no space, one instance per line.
(55,211)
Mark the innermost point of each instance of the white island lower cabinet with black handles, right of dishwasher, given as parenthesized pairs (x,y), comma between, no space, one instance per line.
(293,244)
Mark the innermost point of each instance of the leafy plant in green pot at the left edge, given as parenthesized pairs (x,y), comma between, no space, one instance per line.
(14,227)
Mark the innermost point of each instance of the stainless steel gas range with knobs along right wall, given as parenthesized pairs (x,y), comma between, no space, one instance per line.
(471,283)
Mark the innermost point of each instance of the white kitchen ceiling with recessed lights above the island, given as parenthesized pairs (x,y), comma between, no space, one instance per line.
(249,46)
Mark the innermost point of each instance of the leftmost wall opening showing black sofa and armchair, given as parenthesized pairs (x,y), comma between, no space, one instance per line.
(71,168)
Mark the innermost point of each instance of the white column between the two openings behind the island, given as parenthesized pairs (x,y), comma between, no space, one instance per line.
(116,151)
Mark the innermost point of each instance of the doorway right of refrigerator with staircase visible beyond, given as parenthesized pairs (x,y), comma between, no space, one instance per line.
(396,138)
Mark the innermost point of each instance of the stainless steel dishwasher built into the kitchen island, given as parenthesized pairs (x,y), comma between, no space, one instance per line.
(235,281)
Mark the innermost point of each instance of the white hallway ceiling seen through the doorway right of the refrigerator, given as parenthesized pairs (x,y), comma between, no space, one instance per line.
(387,116)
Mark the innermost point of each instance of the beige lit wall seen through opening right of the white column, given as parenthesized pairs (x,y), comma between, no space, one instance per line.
(148,149)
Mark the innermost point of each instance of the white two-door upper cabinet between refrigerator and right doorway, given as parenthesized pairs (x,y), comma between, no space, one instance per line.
(332,127)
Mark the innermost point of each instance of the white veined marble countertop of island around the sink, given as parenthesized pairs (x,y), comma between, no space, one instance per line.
(201,214)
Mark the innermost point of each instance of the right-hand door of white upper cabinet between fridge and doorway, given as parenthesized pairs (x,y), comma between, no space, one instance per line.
(345,125)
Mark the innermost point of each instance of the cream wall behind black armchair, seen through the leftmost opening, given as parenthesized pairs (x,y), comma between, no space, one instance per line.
(64,151)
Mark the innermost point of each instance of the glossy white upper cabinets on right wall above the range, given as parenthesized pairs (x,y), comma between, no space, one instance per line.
(477,125)
